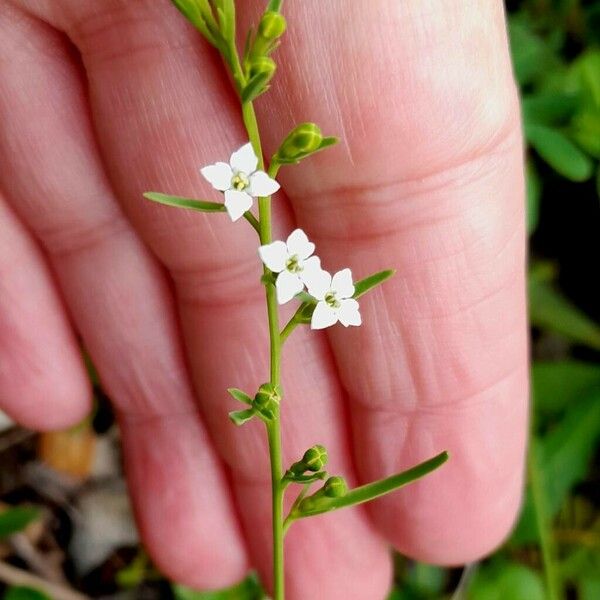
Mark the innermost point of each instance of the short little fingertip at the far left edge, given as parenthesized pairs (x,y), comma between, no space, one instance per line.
(43,384)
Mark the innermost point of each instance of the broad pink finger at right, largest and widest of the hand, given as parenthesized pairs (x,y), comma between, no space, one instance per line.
(427,180)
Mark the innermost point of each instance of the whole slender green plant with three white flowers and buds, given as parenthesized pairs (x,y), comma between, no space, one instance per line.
(292,272)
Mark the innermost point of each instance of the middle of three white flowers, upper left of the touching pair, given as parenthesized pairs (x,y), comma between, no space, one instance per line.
(292,261)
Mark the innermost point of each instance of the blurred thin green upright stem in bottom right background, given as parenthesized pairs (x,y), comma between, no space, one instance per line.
(543,520)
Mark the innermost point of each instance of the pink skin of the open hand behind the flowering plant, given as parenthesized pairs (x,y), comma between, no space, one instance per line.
(101,101)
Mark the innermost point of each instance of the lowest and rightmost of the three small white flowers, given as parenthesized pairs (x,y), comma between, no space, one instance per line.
(335,302)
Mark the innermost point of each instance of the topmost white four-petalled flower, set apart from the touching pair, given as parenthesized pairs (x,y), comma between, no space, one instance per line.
(240,181)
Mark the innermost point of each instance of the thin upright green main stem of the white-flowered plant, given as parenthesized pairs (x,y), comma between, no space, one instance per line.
(273,426)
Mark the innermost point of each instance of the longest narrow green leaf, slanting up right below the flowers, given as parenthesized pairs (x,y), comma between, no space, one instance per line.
(376,489)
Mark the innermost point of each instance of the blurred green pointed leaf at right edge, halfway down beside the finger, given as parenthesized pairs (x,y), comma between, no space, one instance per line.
(549,309)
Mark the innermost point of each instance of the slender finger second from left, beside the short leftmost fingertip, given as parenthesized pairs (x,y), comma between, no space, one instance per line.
(121,304)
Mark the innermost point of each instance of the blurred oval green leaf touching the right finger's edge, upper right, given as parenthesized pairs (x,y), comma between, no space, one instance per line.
(559,152)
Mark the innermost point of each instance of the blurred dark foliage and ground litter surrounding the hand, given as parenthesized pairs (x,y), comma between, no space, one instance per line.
(65,521)
